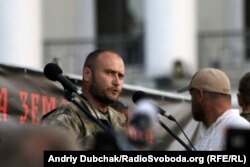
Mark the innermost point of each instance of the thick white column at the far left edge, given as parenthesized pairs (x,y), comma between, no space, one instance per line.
(20,33)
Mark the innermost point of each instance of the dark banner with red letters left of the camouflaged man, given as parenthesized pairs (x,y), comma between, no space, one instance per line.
(26,95)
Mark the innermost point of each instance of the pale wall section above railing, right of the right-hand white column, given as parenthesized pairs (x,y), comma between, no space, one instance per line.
(218,15)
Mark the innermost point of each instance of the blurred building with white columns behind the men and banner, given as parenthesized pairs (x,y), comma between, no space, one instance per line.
(163,42)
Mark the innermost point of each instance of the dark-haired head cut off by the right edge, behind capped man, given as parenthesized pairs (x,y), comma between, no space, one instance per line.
(244,87)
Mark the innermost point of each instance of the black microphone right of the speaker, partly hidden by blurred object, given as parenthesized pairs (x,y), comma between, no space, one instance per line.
(139,95)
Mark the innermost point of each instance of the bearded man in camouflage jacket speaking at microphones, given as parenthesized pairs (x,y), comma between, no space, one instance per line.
(103,79)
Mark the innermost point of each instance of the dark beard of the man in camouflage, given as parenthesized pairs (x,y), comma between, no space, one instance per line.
(98,92)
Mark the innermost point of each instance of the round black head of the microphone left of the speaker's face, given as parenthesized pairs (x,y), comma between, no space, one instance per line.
(51,71)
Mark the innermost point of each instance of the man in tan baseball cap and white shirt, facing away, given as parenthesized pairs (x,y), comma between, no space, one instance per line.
(210,91)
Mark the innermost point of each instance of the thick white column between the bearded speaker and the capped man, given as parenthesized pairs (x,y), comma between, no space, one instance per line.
(170,36)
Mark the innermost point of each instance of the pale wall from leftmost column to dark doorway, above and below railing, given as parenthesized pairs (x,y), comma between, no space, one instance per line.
(72,21)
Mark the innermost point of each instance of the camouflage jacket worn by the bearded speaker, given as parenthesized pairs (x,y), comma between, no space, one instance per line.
(76,123)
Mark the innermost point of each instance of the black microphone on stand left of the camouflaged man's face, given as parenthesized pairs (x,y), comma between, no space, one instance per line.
(53,72)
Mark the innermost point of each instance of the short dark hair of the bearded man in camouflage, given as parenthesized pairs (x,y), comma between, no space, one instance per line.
(92,56)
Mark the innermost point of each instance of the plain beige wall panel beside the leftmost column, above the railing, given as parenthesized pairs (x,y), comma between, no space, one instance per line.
(59,18)
